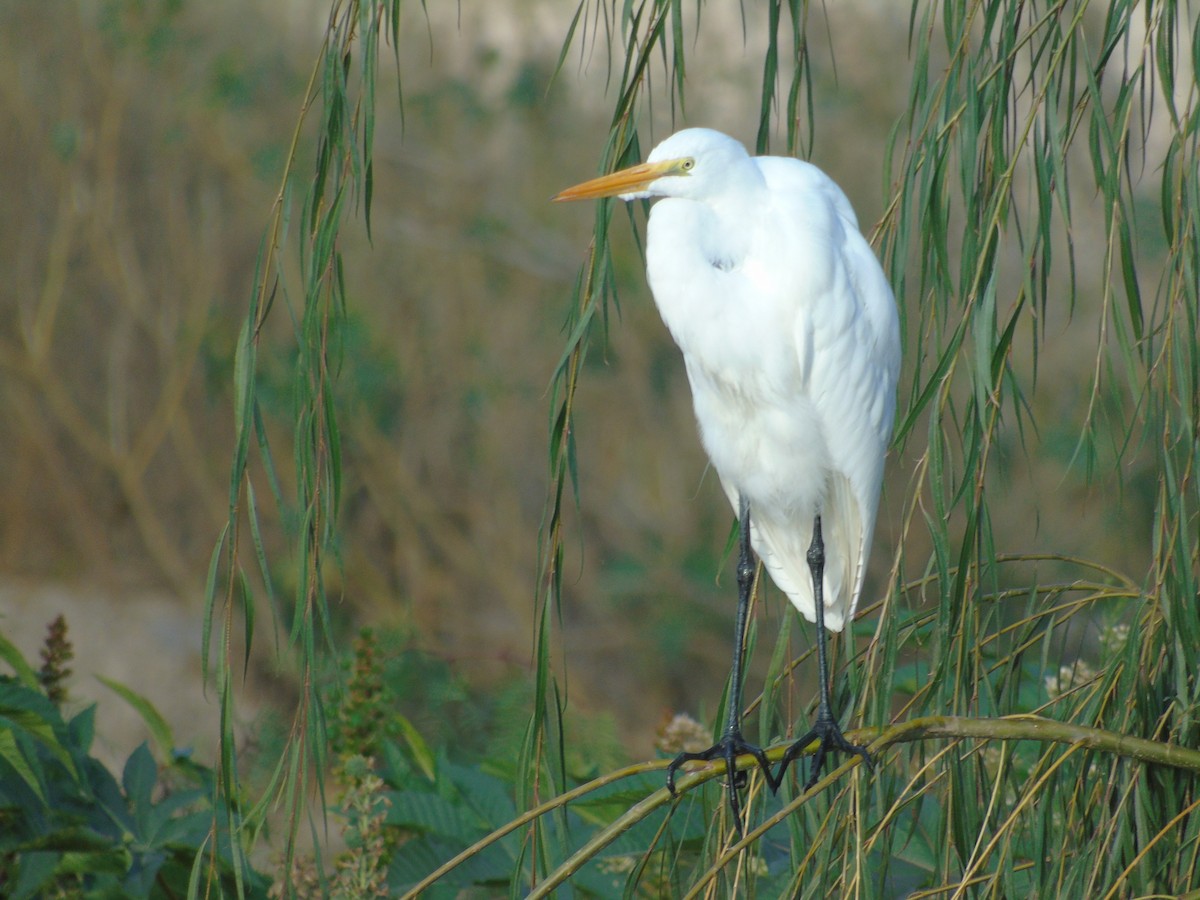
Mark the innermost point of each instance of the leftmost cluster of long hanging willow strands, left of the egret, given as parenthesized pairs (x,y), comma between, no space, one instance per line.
(343,179)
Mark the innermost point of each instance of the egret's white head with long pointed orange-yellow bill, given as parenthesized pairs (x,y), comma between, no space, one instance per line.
(693,164)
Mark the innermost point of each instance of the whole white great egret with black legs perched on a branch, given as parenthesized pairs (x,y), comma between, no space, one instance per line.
(790,337)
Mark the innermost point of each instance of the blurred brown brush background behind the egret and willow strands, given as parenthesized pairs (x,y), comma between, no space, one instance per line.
(141,151)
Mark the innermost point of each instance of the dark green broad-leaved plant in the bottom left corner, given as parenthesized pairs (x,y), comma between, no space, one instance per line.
(69,829)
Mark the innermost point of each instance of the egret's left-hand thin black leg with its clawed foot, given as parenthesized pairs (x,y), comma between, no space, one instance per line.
(733,745)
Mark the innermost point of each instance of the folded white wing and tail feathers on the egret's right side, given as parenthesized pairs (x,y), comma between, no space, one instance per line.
(847,343)
